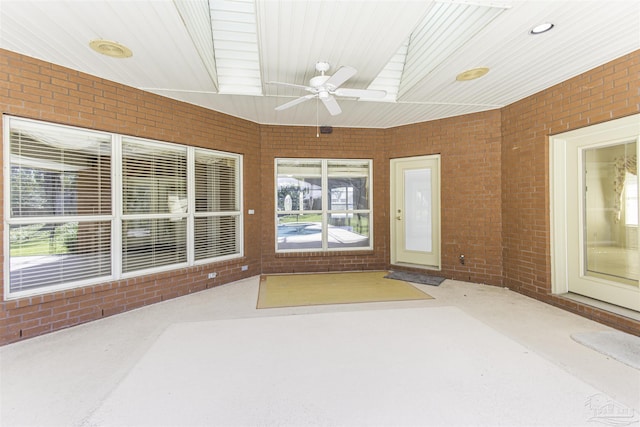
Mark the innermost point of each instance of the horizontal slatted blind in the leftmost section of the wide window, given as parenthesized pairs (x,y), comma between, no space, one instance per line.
(60,205)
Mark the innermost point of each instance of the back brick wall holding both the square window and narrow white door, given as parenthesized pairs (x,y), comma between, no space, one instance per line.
(470,162)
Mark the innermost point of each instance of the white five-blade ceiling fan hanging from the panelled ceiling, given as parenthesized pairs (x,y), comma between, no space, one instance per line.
(325,87)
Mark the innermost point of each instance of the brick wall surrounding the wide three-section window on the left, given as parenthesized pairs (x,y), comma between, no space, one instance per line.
(39,90)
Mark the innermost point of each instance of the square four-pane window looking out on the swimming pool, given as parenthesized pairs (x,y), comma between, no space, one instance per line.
(323,204)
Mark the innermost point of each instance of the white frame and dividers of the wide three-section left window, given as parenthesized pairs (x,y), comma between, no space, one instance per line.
(116,216)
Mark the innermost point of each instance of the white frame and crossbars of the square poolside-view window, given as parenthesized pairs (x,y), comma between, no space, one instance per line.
(324,211)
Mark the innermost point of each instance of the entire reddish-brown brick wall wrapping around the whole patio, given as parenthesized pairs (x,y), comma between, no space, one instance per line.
(495,184)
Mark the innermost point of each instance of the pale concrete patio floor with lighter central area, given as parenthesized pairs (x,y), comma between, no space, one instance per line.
(108,372)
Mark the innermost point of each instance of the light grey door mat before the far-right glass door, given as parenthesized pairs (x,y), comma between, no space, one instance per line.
(621,346)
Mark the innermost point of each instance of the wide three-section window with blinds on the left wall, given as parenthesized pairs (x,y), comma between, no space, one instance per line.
(78,213)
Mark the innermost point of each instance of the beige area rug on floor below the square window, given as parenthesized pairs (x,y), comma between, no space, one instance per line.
(293,290)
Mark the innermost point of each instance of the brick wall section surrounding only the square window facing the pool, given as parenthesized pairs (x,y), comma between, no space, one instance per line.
(291,141)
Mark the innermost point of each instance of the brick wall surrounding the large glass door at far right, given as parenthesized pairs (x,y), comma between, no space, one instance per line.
(607,92)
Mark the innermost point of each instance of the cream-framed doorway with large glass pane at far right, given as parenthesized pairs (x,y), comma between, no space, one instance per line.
(595,212)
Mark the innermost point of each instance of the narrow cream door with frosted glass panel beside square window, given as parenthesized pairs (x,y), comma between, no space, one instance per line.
(415,212)
